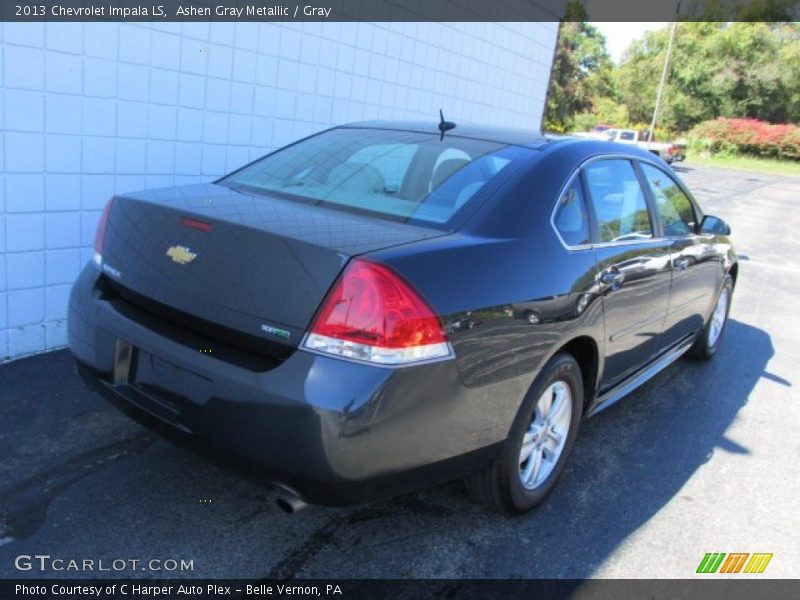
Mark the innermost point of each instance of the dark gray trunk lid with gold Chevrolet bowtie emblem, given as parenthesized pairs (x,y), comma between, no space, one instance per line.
(258,266)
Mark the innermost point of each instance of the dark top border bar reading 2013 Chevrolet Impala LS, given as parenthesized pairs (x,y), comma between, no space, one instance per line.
(397,10)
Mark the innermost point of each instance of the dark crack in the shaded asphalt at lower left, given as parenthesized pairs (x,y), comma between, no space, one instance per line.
(23,507)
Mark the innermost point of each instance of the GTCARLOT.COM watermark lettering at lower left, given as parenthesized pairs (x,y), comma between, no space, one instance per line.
(43,563)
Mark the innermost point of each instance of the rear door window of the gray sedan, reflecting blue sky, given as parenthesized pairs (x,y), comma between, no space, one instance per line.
(618,201)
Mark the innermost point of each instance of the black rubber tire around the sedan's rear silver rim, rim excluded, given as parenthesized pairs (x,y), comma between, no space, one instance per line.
(499,485)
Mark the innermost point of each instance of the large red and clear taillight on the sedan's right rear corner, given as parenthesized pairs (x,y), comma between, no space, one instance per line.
(373,314)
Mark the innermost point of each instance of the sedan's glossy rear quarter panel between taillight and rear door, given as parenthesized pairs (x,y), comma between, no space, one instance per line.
(505,265)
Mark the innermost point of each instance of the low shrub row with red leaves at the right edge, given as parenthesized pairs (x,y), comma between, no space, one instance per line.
(747,136)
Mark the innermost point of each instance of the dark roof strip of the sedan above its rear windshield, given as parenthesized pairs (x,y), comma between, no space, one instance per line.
(531,138)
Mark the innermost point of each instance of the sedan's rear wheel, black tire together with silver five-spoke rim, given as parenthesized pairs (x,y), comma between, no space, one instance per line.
(541,438)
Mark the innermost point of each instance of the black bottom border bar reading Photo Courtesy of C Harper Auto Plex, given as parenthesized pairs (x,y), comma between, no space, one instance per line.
(708,587)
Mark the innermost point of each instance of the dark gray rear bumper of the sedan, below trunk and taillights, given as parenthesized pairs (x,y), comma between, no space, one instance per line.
(335,432)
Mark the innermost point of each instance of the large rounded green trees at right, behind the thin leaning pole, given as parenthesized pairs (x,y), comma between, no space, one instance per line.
(717,69)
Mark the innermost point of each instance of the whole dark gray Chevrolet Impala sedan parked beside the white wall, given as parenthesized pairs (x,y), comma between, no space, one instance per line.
(384,306)
